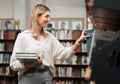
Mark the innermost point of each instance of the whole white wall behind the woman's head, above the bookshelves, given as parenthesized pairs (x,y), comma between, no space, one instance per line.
(21,9)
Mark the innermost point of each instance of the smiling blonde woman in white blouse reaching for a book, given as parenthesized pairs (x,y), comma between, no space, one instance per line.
(44,44)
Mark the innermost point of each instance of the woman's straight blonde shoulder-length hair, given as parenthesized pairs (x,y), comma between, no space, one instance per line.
(38,10)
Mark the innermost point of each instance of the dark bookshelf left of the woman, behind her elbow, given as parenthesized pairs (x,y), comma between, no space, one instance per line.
(7,76)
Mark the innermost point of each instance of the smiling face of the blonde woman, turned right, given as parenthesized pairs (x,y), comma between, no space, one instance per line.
(44,19)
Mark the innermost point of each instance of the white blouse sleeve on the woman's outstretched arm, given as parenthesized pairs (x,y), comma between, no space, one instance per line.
(61,52)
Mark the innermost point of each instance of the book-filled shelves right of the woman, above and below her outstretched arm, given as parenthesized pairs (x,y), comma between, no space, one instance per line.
(71,70)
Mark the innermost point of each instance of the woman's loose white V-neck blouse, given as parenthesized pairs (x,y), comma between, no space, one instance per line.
(49,48)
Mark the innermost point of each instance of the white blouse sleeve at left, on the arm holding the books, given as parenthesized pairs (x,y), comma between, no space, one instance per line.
(15,64)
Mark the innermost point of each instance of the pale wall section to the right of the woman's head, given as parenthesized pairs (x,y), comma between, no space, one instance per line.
(67,9)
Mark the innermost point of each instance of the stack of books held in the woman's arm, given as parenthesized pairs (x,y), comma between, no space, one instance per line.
(26,57)
